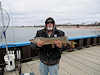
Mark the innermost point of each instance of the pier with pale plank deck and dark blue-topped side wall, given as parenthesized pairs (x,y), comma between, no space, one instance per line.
(82,59)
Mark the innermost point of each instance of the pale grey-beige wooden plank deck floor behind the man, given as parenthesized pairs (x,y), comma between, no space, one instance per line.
(79,62)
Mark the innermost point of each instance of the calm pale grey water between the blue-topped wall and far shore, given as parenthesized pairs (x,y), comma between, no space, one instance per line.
(22,34)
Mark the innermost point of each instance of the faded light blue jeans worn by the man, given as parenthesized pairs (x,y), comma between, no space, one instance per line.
(45,69)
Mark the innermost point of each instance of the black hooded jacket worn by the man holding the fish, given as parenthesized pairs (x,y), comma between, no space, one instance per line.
(50,55)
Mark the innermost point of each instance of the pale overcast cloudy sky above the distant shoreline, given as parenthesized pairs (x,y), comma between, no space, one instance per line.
(34,12)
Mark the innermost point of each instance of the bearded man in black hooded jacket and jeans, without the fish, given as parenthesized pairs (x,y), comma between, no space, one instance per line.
(49,55)
